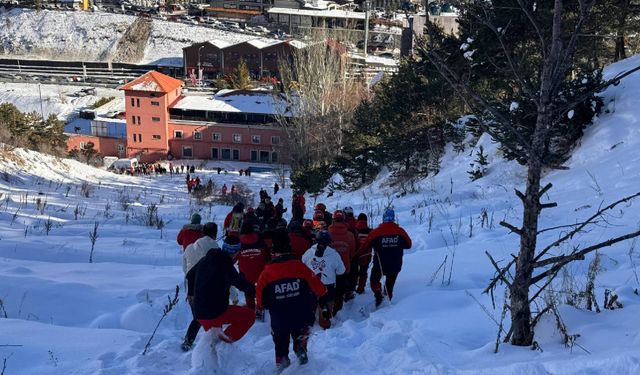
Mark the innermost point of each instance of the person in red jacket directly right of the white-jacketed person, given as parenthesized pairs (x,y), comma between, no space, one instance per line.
(344,242)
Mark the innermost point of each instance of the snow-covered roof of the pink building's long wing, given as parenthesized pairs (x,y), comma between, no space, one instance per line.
(234,101)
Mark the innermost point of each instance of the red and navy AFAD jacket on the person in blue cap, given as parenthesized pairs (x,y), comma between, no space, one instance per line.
(388,242)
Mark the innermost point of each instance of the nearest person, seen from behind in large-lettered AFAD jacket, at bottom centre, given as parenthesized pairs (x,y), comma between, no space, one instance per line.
(290,291)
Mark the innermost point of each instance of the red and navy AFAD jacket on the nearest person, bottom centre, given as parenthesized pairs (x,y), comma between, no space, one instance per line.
(289,290)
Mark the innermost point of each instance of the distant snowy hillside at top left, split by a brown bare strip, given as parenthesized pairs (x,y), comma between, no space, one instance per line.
(94,36)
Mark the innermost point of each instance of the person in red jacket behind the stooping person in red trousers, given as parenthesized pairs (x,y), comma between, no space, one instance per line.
(252,258)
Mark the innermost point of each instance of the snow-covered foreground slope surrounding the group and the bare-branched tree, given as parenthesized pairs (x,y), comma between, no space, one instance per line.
(61,314)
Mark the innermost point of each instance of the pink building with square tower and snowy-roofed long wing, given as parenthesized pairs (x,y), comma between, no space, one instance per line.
(162,123)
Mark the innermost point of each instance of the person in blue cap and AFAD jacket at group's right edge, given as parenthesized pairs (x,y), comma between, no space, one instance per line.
(388,242)
